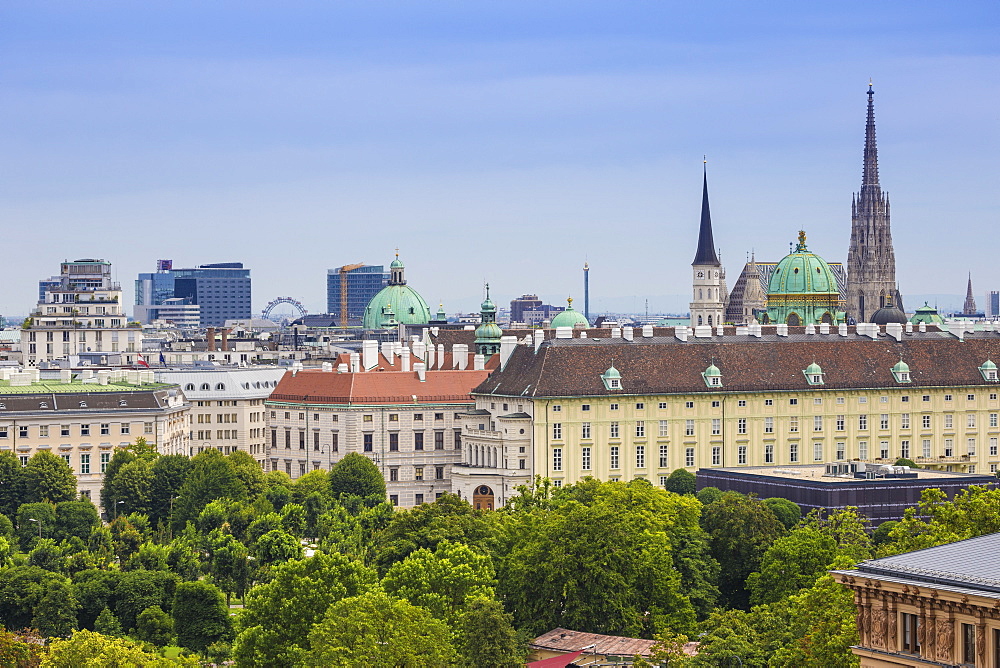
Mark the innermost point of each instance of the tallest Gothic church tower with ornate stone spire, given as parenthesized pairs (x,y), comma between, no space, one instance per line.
(871,262)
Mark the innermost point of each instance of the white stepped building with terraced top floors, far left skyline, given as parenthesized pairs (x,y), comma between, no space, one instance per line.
(80,314)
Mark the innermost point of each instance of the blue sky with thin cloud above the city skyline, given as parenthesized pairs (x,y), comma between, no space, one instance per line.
(500,142)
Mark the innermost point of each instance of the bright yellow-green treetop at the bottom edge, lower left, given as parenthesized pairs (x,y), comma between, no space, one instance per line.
(86,648)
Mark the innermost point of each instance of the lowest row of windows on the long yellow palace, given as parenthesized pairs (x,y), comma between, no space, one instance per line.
(663,452)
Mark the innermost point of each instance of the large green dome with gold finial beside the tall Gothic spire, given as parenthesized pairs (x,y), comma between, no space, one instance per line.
(803,290)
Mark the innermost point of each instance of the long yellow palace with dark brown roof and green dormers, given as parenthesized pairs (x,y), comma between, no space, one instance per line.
(618,409)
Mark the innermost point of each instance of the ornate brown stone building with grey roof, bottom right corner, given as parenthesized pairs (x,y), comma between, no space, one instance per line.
(934,607)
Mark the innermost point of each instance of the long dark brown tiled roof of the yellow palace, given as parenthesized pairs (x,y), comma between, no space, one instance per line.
(660,365)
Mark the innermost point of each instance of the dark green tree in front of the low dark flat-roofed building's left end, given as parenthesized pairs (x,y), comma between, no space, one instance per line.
(740,529)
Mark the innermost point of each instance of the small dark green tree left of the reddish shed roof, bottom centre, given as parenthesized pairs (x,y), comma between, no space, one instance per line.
(486,638)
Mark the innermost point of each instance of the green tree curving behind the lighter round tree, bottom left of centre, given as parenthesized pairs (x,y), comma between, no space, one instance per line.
(278,616)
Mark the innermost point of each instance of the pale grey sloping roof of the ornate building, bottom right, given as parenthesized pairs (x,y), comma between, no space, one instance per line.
(968,563)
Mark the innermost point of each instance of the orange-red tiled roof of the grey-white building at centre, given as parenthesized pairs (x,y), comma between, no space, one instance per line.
(375,387)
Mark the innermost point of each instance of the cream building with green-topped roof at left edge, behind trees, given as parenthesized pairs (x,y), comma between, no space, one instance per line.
(84,417)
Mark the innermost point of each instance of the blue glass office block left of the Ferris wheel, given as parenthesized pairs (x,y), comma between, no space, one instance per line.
(221,291)
